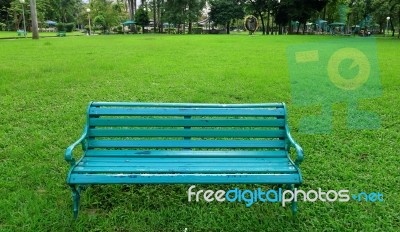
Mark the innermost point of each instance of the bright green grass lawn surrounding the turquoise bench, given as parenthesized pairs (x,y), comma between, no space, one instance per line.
(45,87)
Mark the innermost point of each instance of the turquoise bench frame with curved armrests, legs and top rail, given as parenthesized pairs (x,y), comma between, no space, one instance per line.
(83,141)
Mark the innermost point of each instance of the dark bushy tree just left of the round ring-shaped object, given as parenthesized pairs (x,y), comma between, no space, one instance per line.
(223,11)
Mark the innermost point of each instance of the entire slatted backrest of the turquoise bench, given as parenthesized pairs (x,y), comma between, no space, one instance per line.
(185,126)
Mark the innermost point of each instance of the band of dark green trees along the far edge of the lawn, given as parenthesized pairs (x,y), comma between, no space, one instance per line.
(182,14)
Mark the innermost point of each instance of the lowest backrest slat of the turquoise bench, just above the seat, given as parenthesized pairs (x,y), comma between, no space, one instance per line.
(186,143)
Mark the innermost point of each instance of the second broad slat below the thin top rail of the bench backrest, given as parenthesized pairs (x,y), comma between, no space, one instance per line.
(186,123)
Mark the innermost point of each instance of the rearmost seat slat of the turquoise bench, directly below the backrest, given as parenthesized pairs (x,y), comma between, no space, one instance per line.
(185,153)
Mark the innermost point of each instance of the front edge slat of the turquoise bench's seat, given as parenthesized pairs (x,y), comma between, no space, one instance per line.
(185,179)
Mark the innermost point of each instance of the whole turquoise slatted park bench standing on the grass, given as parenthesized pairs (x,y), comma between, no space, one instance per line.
(152,143)
